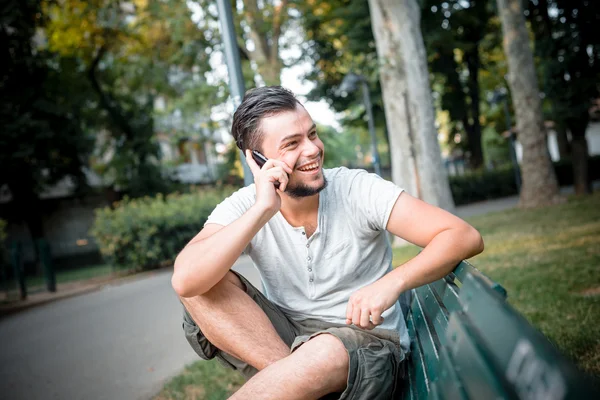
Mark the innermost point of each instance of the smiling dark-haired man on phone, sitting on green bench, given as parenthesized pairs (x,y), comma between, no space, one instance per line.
(330,323)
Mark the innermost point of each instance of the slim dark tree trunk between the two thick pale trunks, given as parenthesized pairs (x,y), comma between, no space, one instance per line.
(474,134)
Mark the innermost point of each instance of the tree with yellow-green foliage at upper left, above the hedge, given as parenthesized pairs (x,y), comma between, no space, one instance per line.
(132,53)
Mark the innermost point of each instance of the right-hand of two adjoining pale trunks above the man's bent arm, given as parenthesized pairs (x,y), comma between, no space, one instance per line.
(432,174)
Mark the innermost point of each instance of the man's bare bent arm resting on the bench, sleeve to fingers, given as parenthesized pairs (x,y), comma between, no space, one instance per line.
(446,240)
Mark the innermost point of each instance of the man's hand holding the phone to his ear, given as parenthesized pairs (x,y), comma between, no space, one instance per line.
(267,196)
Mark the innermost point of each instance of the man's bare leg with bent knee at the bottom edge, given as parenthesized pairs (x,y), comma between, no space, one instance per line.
(318,367)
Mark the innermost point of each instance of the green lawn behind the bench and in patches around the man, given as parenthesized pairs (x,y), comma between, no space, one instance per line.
(547,259)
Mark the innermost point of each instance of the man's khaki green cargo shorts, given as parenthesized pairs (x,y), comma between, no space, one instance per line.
(376,359)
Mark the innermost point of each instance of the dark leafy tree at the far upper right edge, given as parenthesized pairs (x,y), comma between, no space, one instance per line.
(568,46)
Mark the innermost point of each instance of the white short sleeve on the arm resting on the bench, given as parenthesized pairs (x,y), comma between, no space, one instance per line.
(371,199)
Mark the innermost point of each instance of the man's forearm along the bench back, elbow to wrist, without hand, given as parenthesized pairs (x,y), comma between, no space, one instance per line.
(437,259)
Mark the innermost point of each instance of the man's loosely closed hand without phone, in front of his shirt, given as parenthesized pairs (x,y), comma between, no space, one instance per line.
(367,304)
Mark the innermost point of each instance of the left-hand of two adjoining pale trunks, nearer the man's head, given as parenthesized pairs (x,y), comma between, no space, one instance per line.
(393,87)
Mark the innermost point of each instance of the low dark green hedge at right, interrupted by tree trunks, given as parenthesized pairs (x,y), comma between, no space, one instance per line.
(486,185)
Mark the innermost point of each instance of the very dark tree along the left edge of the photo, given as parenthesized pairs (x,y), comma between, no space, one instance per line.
(43,136)
